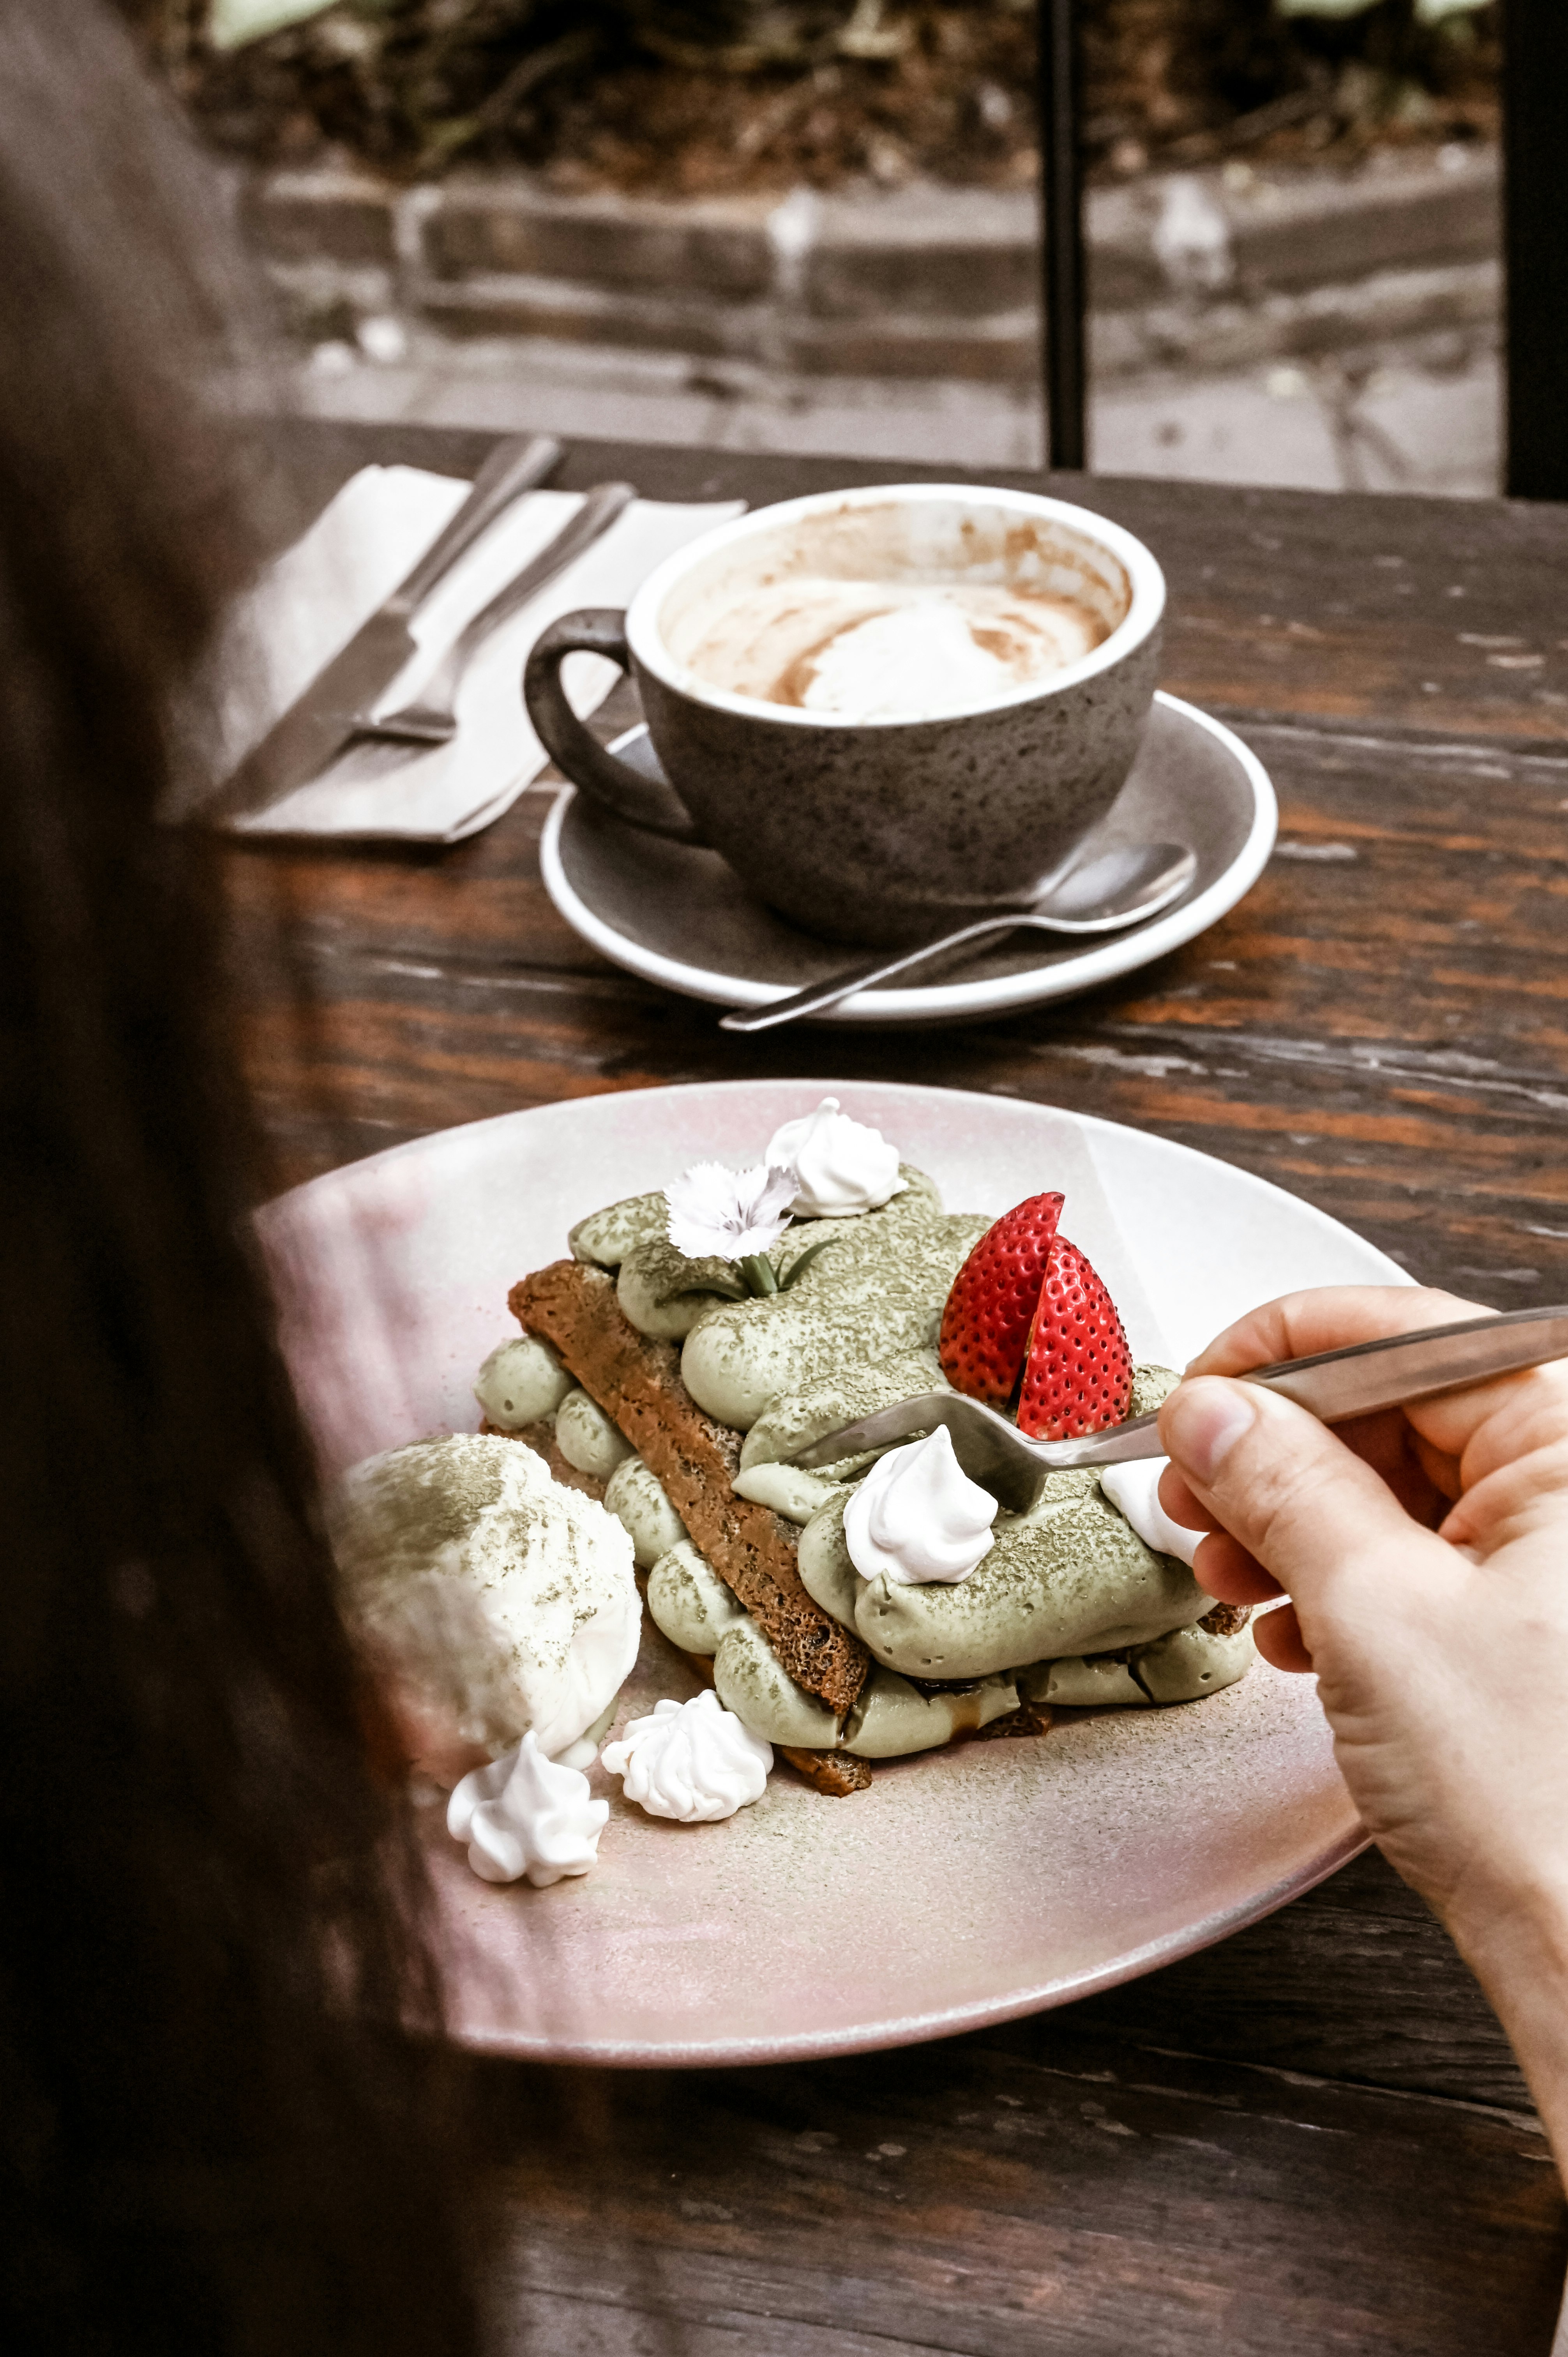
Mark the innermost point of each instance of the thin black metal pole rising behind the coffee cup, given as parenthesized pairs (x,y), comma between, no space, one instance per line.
(1062,232)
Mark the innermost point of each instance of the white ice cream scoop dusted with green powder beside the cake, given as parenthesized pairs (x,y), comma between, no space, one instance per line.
(496,1602)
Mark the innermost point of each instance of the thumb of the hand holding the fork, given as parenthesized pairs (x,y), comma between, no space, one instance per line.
(1279,1481)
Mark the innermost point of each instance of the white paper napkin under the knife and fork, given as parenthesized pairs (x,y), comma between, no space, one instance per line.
(355,555)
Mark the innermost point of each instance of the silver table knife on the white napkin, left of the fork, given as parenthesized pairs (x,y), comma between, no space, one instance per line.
(324,718)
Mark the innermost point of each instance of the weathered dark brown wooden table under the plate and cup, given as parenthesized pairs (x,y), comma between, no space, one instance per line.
(1315,2137)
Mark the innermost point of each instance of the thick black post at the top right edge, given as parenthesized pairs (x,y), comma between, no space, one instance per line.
(1536,246)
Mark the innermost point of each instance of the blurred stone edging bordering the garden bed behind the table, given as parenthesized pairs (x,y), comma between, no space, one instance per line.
(923,282)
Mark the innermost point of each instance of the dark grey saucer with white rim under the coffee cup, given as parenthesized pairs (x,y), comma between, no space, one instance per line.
(683,918)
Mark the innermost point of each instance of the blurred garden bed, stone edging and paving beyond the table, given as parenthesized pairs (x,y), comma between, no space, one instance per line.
(812,225)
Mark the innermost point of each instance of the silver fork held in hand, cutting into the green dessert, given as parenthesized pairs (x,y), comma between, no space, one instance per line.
(1333,1385)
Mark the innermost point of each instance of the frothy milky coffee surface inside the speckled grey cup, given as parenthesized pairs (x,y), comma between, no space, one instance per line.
(888,649)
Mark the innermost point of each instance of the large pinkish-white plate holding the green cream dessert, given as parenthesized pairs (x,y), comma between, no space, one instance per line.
(966,1887)
